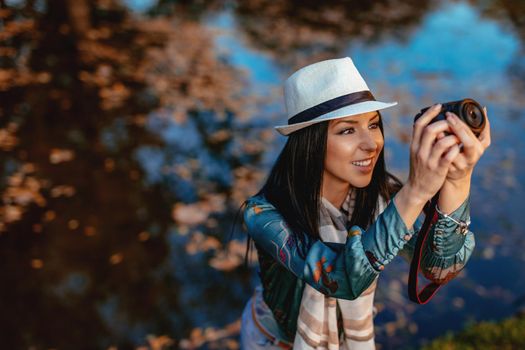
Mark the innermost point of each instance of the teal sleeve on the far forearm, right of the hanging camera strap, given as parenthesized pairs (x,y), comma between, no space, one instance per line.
(446,251)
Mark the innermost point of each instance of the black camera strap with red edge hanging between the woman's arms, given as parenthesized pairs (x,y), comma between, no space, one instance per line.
(430,289)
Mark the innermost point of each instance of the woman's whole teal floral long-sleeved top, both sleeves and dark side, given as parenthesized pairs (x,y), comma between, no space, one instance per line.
(347,269)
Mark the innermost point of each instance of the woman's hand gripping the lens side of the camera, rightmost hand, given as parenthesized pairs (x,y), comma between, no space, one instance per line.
(473,148)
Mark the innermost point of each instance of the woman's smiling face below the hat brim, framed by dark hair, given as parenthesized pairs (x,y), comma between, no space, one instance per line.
(353,147)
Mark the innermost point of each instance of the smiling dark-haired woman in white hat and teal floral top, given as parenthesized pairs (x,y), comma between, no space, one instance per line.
(330,217)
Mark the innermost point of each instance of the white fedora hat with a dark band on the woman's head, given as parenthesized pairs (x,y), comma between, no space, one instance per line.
(326,90)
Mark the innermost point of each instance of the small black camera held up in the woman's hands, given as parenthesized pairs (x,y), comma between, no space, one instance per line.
(468,110)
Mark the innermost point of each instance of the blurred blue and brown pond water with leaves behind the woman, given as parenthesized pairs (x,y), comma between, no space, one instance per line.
(131,132)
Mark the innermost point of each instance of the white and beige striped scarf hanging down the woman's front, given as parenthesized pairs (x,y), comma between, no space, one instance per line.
(318,326)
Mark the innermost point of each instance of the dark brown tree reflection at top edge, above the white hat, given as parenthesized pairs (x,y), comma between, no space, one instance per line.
(299,32)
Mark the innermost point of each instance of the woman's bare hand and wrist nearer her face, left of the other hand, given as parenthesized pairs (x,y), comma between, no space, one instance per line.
(431,154)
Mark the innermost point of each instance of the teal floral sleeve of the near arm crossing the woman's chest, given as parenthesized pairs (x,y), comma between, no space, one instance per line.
(338,270)
